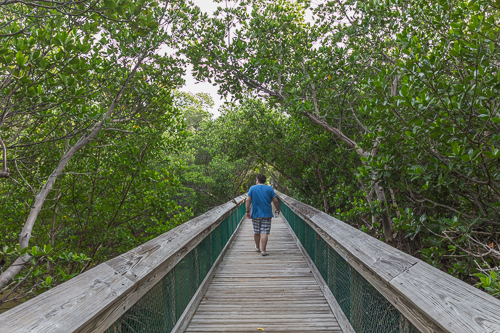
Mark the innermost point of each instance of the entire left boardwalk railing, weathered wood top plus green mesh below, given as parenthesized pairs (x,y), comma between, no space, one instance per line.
(148,289)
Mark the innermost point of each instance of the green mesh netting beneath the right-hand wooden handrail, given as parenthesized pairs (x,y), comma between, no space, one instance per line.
(365,308)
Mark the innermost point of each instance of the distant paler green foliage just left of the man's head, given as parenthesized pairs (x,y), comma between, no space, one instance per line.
(209,176)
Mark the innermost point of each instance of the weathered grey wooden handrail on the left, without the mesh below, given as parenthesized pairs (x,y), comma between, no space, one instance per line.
(92,301)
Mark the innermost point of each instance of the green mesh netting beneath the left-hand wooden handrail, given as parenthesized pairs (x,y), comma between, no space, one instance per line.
(160,308)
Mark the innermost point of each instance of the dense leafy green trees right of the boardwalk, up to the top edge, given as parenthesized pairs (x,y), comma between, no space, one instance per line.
(406,93)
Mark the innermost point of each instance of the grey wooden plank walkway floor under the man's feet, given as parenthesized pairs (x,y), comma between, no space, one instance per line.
(251,293)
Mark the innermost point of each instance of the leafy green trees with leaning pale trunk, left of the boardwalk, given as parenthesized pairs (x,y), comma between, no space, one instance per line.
(86,111)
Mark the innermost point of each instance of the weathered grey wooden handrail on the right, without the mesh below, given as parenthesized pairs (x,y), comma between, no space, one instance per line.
(431,299)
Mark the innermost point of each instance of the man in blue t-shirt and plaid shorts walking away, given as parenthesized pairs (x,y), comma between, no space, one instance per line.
(261,196)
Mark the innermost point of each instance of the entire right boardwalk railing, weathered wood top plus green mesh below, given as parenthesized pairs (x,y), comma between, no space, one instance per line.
(381,289)
